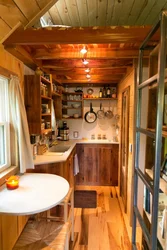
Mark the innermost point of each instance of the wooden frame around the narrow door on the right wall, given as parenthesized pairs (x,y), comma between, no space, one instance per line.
(124,199)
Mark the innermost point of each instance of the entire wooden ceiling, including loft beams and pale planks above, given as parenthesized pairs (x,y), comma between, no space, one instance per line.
(95,24)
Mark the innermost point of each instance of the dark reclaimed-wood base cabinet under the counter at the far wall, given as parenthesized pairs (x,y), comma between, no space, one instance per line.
(98,164)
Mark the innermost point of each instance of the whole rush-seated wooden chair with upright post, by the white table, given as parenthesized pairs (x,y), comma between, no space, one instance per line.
(49,232)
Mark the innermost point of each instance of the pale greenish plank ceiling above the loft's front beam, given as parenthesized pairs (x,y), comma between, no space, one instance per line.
(102,12)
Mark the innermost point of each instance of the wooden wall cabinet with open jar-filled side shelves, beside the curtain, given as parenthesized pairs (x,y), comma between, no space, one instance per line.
(37,95)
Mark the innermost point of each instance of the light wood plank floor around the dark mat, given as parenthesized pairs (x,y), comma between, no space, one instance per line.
(100,228)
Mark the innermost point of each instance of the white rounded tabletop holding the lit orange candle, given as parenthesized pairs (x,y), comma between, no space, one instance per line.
(36,193)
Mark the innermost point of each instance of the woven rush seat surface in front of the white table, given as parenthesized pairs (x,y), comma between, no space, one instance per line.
(43,235)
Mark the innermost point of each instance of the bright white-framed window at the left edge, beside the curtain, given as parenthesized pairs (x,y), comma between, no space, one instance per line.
(4,125)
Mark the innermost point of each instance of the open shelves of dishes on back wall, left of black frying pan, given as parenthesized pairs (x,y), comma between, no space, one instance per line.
(72,105)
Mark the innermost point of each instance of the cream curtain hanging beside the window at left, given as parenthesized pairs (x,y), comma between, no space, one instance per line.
(19,120)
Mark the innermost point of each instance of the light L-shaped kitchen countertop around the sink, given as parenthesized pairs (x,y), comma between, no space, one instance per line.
(55,157)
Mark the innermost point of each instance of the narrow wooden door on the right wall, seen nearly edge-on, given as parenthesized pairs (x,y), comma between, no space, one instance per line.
(124,146)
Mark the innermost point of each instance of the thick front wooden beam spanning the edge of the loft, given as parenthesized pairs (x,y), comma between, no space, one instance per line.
(112,34)
